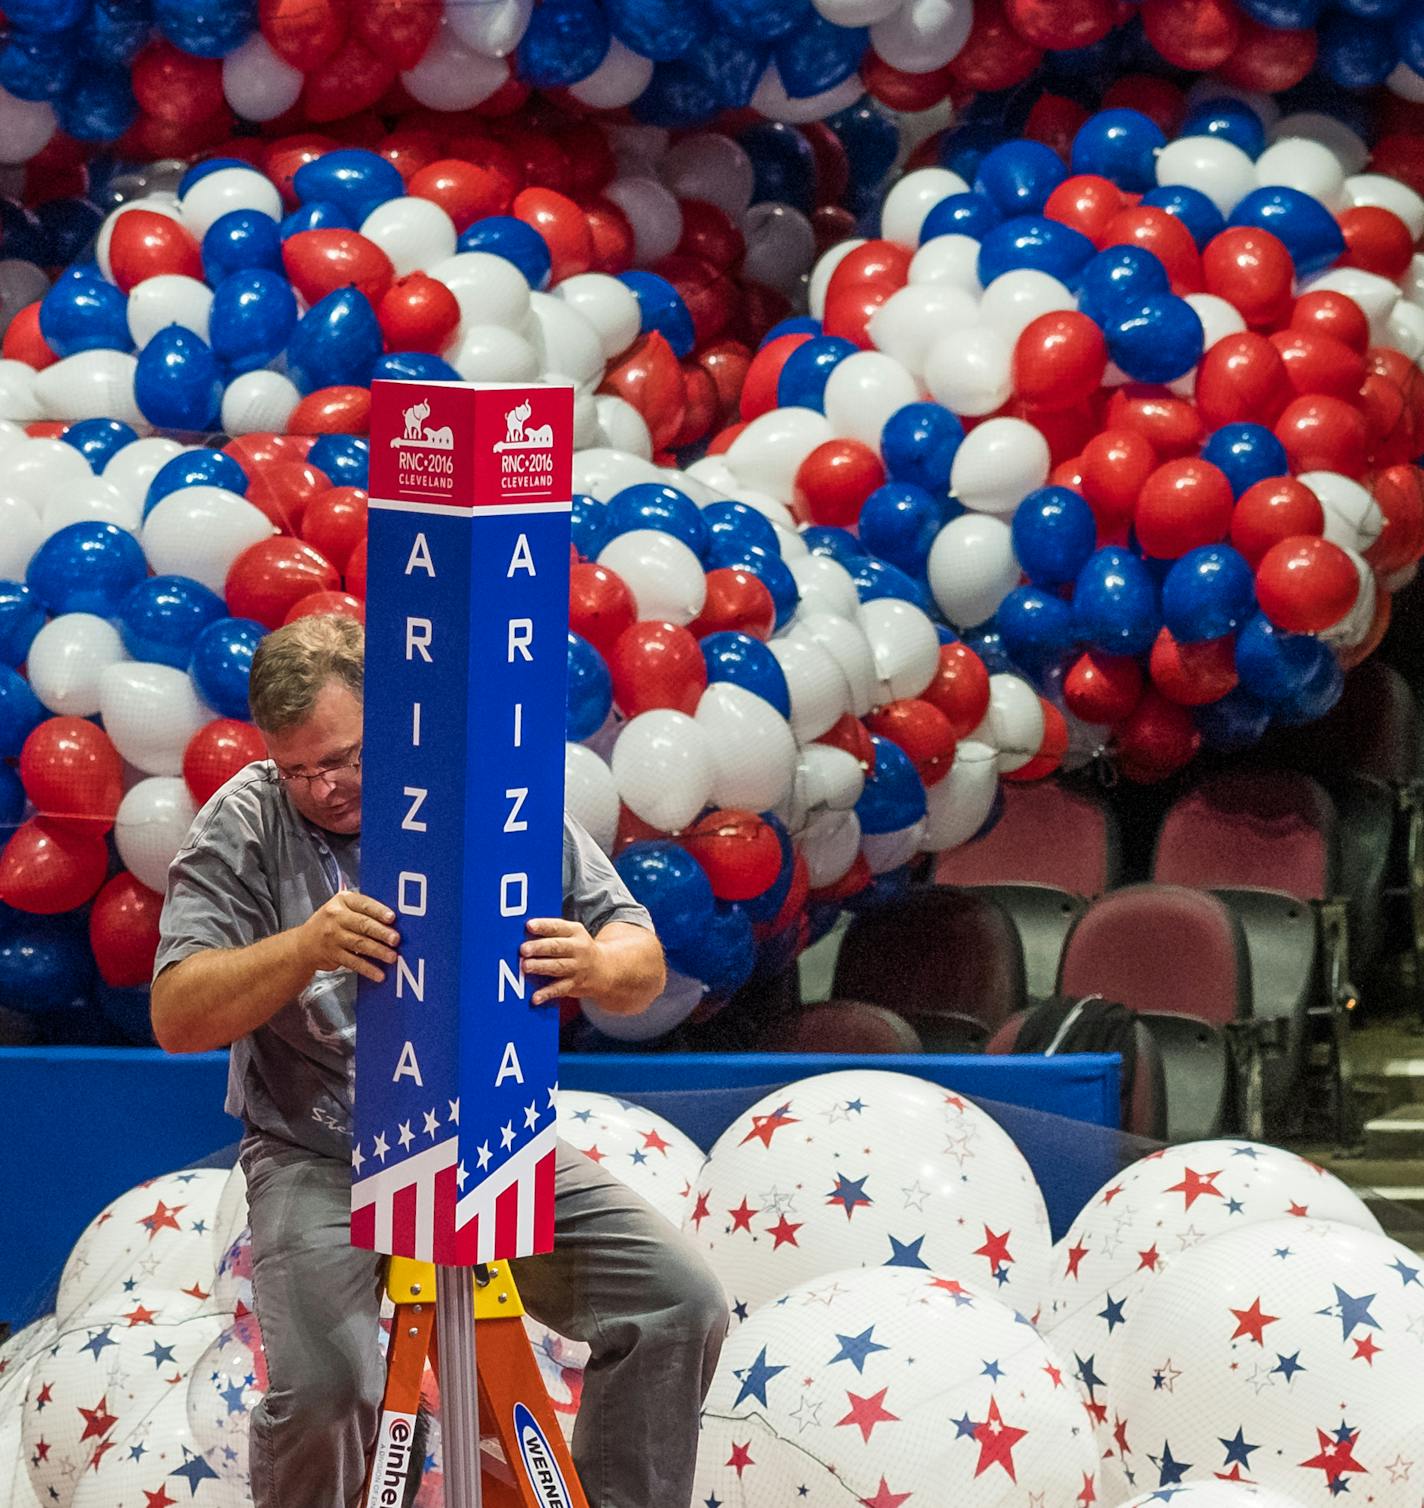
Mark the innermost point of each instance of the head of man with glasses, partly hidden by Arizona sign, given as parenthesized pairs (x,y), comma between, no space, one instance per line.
(307,700)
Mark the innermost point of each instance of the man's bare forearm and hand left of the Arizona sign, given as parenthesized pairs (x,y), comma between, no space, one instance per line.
(210,999)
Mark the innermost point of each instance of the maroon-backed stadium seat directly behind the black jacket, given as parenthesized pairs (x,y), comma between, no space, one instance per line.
(1179,958)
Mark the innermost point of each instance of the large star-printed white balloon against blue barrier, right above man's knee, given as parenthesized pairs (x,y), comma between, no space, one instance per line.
(868,1169)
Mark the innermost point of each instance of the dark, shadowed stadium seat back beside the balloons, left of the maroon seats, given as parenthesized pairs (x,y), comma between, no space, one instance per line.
(950,961)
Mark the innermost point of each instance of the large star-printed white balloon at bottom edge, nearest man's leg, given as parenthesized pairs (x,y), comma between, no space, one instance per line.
(886,1388)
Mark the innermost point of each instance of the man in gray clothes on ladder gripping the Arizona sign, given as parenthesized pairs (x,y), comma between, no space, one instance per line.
(263,936)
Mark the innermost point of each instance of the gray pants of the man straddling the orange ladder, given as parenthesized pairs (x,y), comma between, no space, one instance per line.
(619,1280)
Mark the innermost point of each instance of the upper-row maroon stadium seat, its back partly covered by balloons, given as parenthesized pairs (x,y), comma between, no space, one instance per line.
(1052,851)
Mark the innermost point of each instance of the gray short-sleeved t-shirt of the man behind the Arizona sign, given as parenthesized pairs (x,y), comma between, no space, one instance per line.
(253,866)
